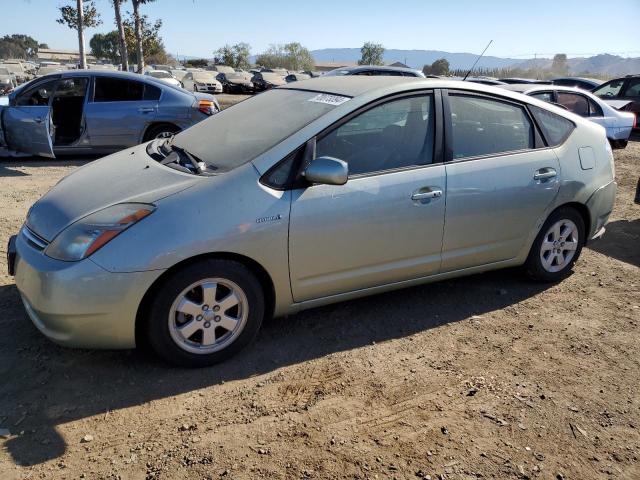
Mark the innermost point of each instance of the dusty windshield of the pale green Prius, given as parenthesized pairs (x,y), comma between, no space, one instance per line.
(240,133)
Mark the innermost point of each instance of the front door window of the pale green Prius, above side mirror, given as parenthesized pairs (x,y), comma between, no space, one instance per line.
(396,134)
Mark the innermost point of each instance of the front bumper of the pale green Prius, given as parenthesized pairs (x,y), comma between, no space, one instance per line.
(79,304)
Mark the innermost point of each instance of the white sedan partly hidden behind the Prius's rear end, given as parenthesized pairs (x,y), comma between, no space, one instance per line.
(617,124)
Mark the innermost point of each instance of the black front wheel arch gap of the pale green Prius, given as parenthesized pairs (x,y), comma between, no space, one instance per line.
(256,268)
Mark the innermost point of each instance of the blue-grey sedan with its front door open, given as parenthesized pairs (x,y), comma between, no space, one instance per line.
(97,111)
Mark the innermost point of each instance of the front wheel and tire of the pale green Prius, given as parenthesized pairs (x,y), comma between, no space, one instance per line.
(186,340)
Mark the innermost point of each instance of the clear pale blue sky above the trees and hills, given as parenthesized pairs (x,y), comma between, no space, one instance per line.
(518,29)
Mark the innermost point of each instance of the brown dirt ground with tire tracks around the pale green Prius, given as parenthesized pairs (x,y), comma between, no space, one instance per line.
(483,377)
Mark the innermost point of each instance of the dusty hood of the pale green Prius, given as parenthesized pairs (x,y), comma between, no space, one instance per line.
(127,176)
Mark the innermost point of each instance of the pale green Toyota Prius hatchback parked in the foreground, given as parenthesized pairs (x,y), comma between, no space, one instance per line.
(334,188)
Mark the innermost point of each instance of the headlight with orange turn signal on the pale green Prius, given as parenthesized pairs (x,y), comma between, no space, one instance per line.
(94,231)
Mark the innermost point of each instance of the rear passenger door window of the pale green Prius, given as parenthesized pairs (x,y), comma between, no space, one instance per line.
(482,126)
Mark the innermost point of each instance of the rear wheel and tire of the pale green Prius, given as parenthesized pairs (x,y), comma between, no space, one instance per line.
(557,247)
